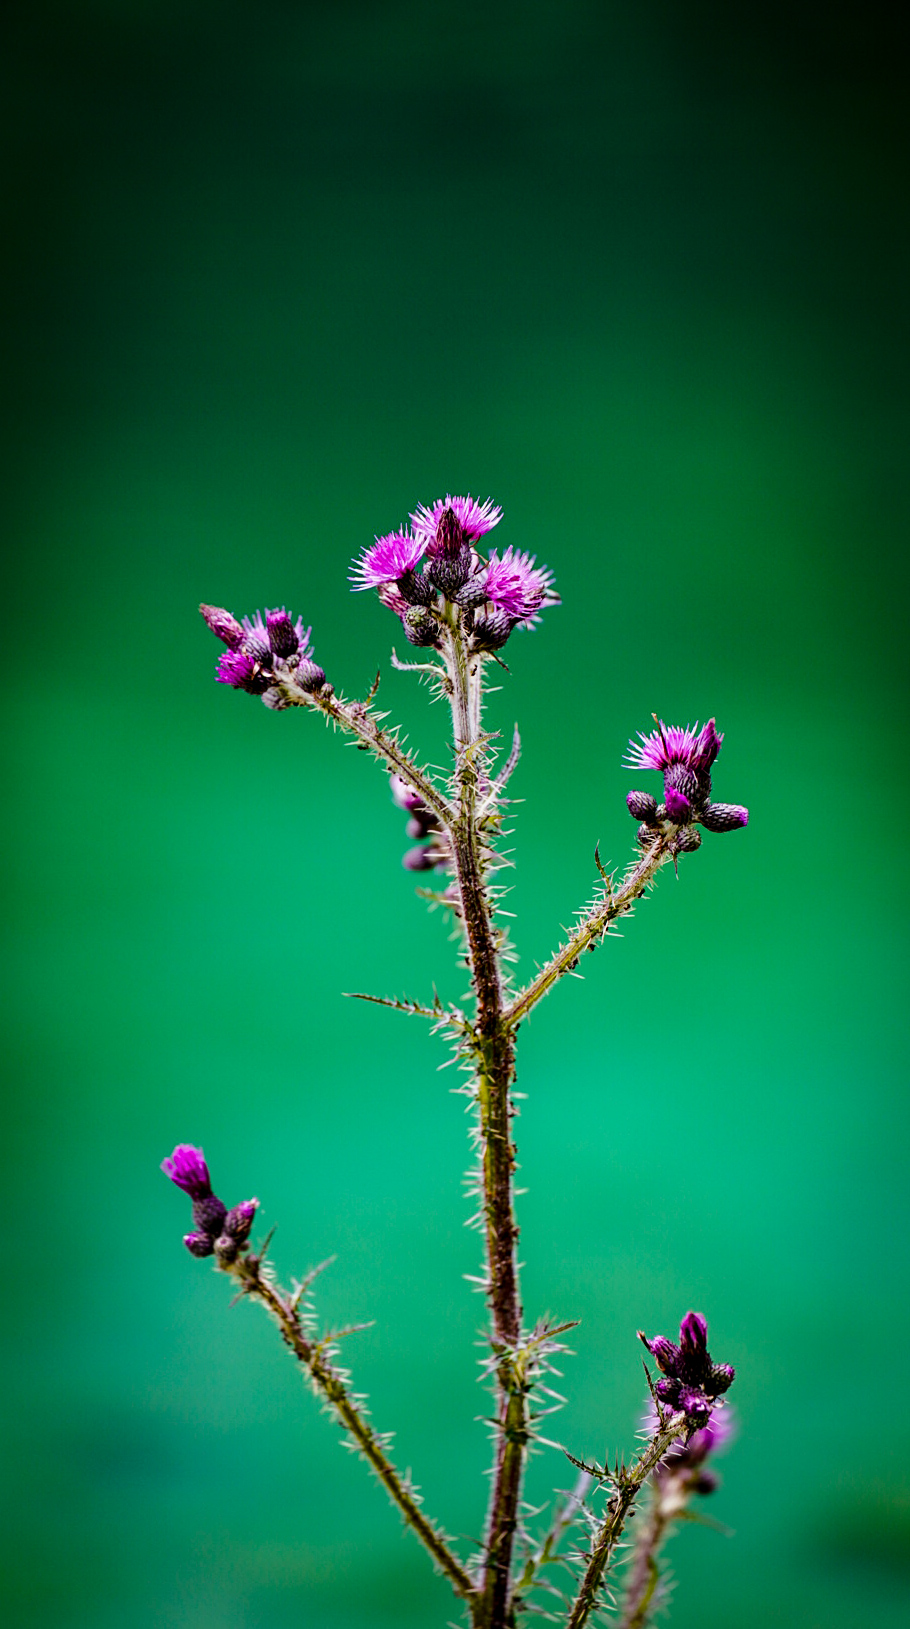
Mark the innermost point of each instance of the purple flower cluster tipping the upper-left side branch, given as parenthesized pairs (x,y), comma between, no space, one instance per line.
(265,656)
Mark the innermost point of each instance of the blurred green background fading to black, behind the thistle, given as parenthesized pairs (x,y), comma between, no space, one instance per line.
(273,276)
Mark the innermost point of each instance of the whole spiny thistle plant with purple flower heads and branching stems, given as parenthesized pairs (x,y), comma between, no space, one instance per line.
(458,605)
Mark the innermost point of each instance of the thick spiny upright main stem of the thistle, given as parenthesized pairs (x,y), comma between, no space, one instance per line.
(496,1071)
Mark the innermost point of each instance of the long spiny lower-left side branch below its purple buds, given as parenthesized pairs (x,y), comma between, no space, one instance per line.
(328,1382)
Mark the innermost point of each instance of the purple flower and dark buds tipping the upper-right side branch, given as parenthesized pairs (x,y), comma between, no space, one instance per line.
(685,758)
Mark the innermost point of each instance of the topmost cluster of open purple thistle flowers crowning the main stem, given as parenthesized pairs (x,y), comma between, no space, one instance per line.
(497,594)
